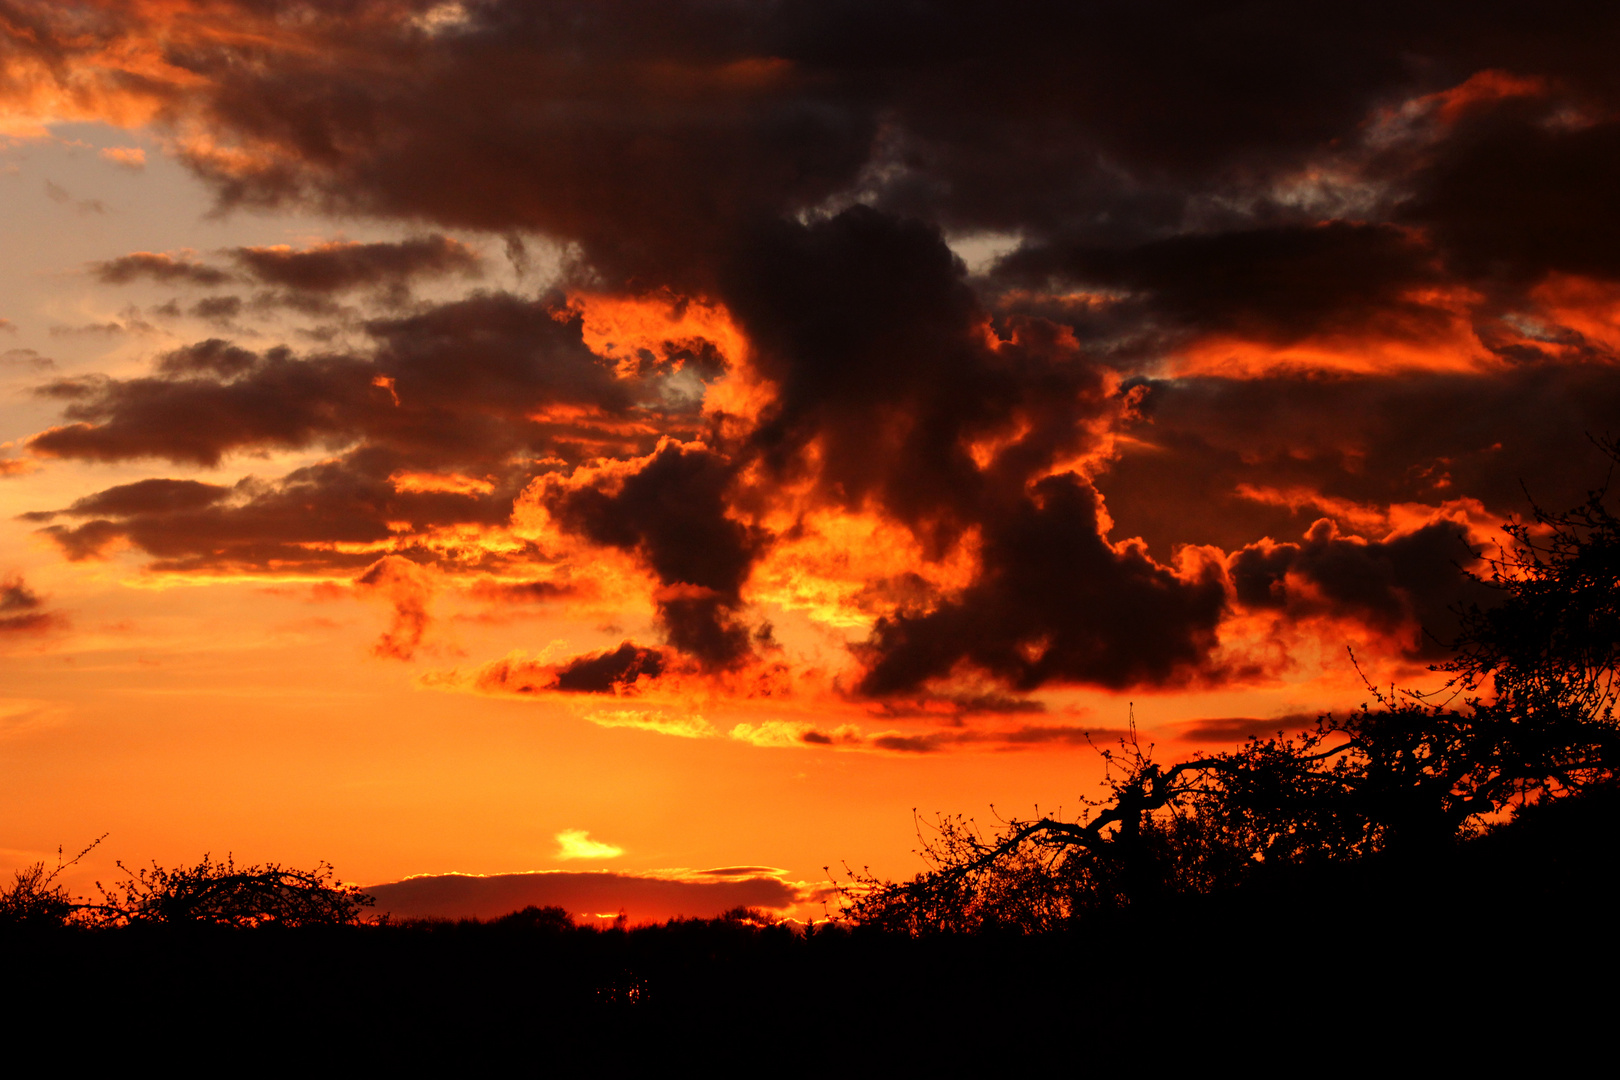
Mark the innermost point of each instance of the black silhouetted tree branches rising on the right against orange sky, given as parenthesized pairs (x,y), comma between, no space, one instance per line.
(1527,718)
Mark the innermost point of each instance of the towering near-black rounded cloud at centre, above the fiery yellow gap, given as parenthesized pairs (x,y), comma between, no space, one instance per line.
(868,328)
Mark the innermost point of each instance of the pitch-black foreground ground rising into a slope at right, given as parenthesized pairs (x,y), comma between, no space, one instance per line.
(1504,953)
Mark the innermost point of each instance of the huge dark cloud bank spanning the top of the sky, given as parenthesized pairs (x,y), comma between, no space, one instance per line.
(654,135)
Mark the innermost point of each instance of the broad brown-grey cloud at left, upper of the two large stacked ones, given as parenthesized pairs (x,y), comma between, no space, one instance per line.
(458,385)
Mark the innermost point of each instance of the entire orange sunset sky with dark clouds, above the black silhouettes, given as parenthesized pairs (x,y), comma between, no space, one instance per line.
(633,438)
